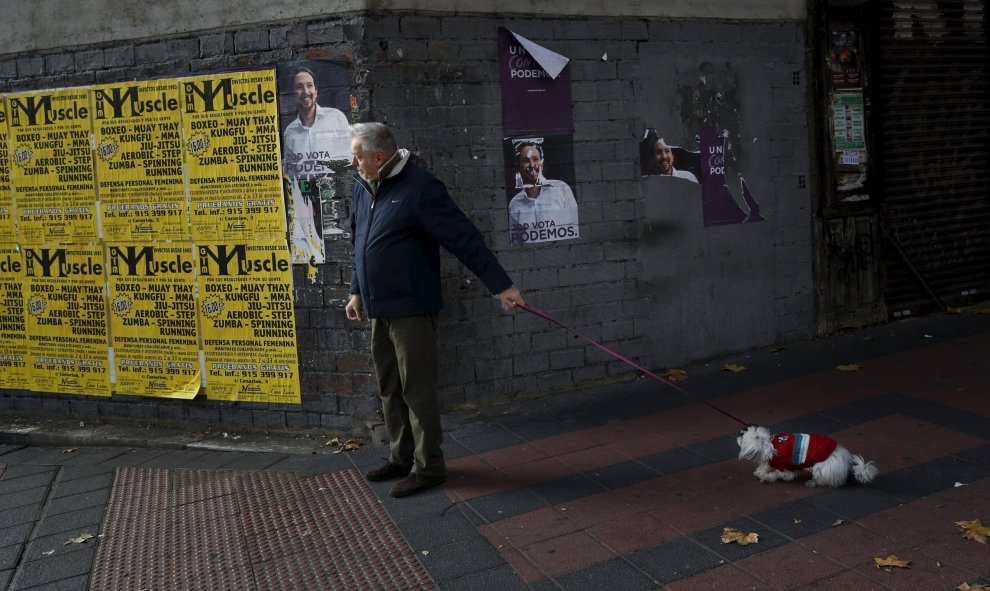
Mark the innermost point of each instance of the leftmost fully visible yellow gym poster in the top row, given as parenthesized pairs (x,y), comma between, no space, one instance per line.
(52,166)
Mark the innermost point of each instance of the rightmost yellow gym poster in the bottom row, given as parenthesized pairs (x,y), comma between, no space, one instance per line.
(247,322)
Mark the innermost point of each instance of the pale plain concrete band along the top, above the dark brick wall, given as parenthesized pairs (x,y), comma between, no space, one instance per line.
(52,24)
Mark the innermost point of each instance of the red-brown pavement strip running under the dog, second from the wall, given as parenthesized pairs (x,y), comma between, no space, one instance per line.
(688,501)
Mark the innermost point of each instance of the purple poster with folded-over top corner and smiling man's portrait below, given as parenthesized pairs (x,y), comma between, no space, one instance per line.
(538,147)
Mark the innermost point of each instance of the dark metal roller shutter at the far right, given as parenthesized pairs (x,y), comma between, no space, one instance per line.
(932,123)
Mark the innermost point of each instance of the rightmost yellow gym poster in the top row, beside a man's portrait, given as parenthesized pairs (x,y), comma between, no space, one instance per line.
(232,156)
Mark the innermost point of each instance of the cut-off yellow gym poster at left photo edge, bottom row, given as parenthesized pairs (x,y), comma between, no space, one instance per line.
(14,371)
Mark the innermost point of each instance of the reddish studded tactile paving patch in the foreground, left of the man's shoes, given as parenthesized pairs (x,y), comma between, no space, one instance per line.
(226,530)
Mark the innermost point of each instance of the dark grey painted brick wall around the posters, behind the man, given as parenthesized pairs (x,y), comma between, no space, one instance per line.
(646,277)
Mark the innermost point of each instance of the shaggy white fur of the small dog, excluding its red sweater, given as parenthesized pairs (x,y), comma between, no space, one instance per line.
(755,443)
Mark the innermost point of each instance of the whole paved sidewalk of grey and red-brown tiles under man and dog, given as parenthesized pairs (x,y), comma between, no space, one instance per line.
(622,488)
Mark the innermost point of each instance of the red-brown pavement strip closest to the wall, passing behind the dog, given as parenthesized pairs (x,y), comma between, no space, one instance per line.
(657,432)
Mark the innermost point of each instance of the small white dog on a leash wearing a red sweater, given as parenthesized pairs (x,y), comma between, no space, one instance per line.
(782,456)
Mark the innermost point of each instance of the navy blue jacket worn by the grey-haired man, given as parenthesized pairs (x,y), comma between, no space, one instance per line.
(396,237)
